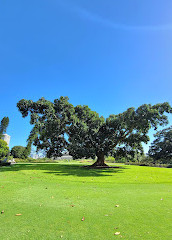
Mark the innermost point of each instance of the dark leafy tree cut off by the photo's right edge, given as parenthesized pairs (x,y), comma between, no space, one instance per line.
(161,148)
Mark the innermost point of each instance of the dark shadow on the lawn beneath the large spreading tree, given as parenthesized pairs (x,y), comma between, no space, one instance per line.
(64,169)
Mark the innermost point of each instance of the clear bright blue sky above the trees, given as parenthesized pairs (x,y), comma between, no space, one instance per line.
(110,55)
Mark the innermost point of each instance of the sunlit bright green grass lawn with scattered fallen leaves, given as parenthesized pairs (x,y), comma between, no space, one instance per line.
(53,198)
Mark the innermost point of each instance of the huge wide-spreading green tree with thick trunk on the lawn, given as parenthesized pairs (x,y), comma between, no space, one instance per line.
(59,125)
